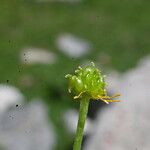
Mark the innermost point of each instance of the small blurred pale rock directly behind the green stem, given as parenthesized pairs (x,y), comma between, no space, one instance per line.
(71,120)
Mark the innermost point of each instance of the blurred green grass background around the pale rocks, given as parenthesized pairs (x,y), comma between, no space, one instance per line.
(118,30)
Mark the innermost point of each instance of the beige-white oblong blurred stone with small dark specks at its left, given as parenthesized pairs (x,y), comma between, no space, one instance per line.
(37,56)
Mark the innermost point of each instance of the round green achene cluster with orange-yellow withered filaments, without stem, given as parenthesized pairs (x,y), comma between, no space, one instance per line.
(89,82)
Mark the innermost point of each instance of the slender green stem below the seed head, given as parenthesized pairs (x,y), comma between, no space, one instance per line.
(84,104)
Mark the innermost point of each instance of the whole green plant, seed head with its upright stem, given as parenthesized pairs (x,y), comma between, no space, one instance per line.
(87,83)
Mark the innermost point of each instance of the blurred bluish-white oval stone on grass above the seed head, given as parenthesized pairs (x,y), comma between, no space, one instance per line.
(72,46)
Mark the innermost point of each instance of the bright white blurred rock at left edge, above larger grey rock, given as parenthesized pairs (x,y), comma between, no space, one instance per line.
(9,96)
